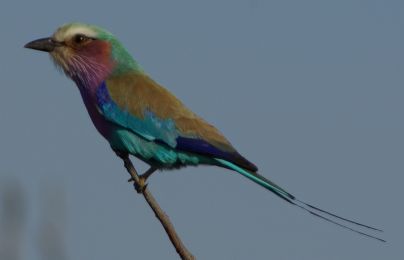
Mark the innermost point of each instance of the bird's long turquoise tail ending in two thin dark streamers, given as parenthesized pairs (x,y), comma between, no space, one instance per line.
(283,194)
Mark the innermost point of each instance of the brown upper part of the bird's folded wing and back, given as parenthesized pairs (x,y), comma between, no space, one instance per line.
(138,93)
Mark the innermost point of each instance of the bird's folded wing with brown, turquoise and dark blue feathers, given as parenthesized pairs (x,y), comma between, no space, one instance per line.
(136,102)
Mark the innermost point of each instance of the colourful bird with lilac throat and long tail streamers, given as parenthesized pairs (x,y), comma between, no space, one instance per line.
(139,117)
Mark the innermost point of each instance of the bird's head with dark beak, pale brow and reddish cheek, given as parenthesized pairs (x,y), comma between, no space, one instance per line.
(88,54)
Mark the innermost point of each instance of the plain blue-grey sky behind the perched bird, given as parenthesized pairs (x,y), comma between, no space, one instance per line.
(311,91)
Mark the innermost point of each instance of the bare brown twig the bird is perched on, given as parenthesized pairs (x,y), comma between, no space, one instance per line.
(160,214)
